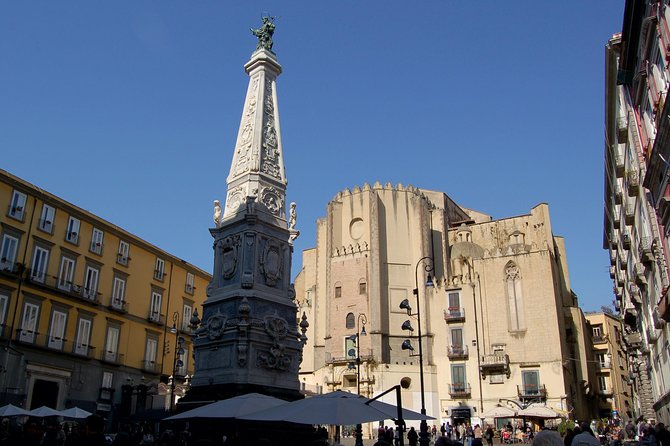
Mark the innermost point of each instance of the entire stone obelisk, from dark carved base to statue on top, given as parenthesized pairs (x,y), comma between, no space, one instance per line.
(248,339)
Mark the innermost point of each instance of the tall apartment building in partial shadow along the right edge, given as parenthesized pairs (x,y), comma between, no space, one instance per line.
(636,223)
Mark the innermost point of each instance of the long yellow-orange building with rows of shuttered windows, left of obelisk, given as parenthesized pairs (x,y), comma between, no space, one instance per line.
(92,316)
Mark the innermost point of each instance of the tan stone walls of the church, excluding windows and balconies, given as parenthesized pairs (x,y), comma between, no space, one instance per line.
(380,233)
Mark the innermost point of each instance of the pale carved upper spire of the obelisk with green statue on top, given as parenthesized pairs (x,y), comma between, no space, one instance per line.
(257,169)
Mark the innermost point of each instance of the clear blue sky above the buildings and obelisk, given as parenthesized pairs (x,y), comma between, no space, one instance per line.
(130,109)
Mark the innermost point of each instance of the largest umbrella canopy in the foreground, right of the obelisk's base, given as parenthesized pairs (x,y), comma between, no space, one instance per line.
(321,409)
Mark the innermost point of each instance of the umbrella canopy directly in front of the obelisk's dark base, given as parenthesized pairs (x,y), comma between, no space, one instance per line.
(232,407)
